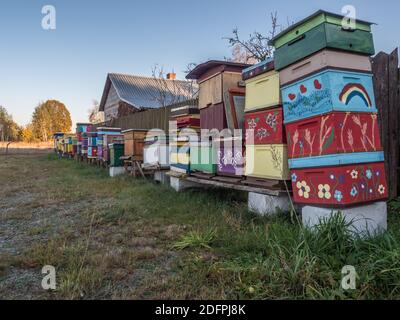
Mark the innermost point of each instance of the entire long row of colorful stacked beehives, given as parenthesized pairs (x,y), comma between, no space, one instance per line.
(311,110)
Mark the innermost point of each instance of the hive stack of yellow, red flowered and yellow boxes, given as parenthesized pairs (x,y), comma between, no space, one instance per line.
(266,149)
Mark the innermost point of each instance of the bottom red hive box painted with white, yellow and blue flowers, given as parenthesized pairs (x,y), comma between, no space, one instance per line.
(340,185)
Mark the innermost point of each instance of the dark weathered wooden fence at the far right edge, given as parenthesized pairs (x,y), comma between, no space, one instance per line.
(387,94)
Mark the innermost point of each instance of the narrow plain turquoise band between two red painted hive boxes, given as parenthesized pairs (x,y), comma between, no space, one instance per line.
(336,160)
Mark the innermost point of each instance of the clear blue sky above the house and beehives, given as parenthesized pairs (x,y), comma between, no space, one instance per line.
(96,37)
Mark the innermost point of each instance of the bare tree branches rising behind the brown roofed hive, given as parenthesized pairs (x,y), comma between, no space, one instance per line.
(256,48)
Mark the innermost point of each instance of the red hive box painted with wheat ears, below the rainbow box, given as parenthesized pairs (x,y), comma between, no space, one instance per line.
(333,133)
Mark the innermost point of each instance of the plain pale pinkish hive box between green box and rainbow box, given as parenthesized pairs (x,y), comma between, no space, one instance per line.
(322,60)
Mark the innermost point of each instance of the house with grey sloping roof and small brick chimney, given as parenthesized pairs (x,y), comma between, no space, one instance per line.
(125,94)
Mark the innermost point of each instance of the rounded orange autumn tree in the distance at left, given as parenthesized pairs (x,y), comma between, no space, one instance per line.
(49,117)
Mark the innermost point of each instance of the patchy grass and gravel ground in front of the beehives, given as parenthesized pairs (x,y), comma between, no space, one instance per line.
(130,239)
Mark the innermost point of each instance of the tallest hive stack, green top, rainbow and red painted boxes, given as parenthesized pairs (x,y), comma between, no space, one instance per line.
(334,148)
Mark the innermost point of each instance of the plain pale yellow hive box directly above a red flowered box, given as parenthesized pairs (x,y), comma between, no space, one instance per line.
(263,91)
